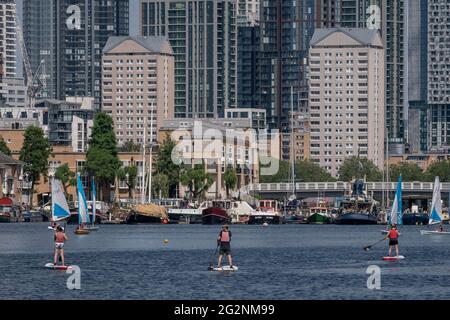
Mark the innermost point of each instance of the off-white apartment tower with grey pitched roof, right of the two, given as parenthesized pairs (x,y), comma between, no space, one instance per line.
(346,97)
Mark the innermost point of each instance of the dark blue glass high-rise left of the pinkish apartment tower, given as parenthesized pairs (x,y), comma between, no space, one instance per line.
(69,36)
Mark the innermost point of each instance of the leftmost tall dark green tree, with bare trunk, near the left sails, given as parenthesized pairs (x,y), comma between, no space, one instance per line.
(35,153)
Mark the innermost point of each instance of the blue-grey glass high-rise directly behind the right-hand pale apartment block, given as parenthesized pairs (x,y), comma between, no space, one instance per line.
(389,18)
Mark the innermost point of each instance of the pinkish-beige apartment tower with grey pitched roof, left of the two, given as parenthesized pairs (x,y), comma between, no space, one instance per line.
(138,86)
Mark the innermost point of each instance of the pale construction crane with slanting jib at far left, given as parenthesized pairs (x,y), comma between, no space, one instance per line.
(36,82)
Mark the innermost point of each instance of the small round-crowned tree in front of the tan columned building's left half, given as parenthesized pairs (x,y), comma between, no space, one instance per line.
(197,180)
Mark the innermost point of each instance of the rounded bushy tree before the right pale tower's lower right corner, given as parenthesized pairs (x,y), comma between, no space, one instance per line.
(359,168)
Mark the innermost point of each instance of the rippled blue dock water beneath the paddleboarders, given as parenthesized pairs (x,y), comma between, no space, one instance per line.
(278,262)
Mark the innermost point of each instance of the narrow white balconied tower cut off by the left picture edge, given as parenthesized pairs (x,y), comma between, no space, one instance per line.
(8,38)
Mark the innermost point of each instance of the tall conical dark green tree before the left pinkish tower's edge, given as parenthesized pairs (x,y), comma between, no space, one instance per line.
(101,159)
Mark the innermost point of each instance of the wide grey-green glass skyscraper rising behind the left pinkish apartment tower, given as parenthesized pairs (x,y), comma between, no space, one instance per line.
(202,34)
